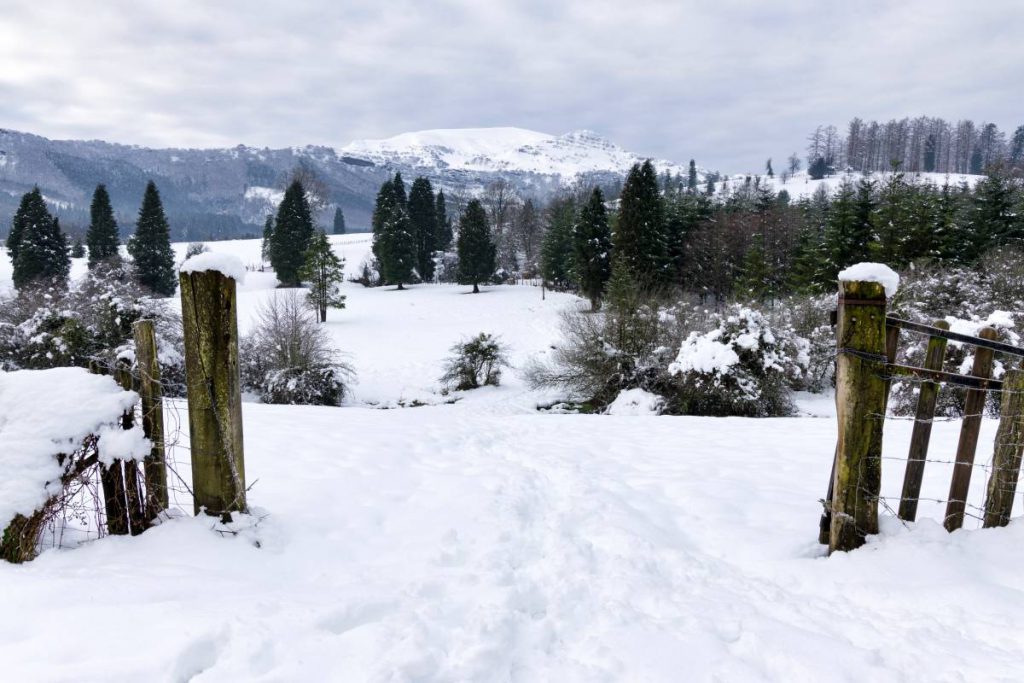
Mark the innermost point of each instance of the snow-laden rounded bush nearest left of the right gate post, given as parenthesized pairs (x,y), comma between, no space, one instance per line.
(741,367)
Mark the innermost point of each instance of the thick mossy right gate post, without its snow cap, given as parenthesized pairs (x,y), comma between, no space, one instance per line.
(861,406)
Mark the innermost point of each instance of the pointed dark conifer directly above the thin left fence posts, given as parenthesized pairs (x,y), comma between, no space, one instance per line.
(151,246)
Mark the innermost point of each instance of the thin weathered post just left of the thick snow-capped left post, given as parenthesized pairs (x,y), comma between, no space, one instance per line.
(151,393)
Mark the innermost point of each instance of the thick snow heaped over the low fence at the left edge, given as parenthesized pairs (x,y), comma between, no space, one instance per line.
(48,412)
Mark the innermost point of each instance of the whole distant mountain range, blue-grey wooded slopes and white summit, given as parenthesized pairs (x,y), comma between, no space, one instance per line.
(216,194)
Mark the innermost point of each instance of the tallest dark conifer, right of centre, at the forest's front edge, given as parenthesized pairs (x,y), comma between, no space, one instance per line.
(639,238)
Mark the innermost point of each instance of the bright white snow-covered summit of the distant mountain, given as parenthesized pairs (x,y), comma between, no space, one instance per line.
(501,151)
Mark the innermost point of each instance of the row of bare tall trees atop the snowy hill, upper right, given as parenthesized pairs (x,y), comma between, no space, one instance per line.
(922,145)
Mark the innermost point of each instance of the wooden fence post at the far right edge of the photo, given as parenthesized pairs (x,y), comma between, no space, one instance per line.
(1009,450)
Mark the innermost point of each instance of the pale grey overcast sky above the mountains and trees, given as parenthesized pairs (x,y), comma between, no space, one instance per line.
(728,82)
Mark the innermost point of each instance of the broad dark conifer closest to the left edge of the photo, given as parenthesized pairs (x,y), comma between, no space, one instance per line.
(37,247)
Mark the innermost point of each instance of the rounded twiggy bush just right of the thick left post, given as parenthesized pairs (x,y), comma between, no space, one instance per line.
(288,358)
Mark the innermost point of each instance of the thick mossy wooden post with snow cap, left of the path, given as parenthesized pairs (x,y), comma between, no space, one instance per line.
(211,332)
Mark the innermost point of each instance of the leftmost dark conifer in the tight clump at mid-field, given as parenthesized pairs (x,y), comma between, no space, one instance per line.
(395,244)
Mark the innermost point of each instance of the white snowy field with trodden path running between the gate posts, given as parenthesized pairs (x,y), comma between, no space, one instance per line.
(484,541)
